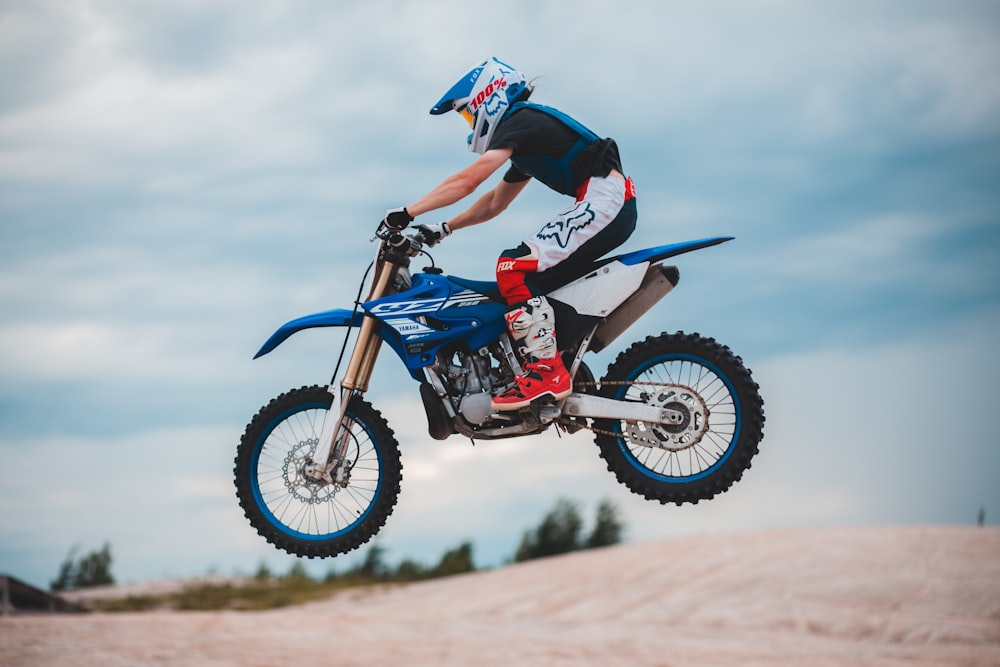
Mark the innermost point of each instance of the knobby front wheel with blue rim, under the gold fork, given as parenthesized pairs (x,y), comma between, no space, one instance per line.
(298,513)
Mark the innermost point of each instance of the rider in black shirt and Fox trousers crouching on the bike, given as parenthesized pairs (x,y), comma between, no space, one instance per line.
(547,145)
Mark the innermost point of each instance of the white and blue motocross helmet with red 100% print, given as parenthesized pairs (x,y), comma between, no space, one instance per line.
(483,96)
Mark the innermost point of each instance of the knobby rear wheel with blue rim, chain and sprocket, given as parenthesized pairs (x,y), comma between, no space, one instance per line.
(715,418)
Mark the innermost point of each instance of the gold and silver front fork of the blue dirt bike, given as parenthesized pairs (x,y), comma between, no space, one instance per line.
(329,460)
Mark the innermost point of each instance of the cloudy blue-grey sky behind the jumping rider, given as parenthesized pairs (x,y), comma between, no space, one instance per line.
(178,179)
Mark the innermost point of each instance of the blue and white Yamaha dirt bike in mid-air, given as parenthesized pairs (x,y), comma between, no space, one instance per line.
(676,417)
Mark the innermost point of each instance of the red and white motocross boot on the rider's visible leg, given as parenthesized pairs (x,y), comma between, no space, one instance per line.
(533,325)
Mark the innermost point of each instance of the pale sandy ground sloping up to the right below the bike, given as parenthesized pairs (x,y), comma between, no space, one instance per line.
(872,596)
